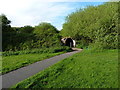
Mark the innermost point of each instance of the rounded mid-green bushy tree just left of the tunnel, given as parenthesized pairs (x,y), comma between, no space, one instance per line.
(46,35)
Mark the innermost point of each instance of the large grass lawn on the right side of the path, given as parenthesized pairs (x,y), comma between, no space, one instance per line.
(82,70)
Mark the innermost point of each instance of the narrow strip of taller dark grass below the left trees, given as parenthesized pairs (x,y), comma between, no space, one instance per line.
(38,50)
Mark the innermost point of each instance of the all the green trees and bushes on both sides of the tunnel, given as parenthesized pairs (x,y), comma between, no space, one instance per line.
(87,26)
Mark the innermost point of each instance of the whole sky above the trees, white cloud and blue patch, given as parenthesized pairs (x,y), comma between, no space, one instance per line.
(33,12)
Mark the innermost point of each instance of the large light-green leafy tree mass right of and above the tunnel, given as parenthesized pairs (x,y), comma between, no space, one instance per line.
(94,24)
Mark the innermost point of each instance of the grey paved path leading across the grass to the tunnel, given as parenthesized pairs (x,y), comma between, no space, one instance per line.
(18,75)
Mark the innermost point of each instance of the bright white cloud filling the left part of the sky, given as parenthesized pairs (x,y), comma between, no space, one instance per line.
(32,12)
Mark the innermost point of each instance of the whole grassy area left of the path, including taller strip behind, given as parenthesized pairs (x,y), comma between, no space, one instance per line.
(15,60)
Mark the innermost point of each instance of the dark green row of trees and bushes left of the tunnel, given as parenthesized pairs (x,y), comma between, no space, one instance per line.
(44,35)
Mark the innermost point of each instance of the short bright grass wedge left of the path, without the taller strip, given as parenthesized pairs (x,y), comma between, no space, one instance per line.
(13,62)
